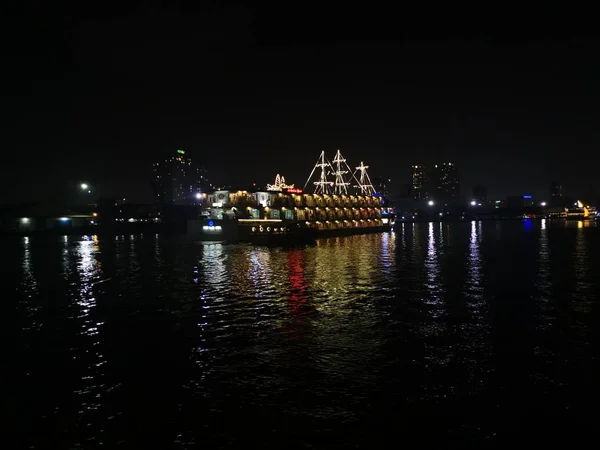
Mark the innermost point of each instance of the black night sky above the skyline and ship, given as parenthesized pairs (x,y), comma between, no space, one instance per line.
(97,92)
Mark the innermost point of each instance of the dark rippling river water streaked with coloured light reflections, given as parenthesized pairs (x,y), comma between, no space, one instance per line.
(184,340)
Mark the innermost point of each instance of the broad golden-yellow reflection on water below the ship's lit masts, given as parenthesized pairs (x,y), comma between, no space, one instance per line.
(346,287)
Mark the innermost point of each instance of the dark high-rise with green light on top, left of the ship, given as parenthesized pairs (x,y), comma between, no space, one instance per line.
(177,181)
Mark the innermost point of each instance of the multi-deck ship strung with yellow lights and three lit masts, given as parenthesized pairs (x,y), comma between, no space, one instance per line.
(284,213)
